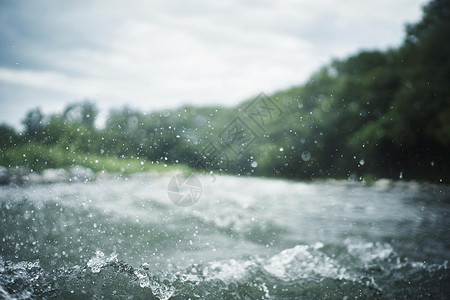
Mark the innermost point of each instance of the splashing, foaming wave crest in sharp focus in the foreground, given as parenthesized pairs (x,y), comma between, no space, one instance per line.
(302,271)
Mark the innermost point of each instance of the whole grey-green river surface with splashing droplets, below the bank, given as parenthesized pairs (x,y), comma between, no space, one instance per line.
(245,238)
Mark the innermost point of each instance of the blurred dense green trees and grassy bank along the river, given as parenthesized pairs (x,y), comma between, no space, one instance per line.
(376,114)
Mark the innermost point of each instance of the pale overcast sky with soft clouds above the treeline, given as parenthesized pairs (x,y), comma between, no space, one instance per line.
(153,55)
